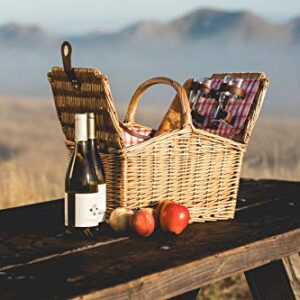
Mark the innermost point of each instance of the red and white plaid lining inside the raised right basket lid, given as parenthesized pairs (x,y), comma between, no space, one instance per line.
(239,109)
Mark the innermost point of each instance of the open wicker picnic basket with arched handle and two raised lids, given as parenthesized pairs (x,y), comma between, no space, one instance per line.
(196,168)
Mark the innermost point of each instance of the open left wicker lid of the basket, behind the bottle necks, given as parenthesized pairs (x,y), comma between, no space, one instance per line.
(94,96)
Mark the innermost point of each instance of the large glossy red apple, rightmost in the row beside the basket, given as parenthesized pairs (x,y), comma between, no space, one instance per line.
(174,217)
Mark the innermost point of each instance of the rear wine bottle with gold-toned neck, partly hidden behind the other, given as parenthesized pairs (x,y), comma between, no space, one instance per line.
(98,166)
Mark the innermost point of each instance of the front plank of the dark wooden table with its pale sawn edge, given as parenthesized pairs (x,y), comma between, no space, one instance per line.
(164,265)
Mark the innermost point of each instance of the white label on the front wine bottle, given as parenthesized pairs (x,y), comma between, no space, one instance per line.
(86,212)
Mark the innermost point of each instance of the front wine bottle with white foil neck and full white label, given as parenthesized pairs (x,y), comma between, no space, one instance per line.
(81,186)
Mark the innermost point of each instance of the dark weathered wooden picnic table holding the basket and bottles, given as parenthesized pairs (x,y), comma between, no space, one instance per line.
(38,261)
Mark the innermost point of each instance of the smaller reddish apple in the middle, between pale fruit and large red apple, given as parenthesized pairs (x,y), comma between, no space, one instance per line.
(142,222)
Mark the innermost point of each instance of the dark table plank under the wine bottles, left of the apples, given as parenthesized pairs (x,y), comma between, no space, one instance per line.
(36,232)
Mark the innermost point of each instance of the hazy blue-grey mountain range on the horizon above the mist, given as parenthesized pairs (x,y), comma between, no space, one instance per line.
(202,24)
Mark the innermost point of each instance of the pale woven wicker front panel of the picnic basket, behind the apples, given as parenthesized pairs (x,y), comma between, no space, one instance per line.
(194,170)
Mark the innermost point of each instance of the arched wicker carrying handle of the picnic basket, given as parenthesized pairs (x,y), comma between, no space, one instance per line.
(186,119)
